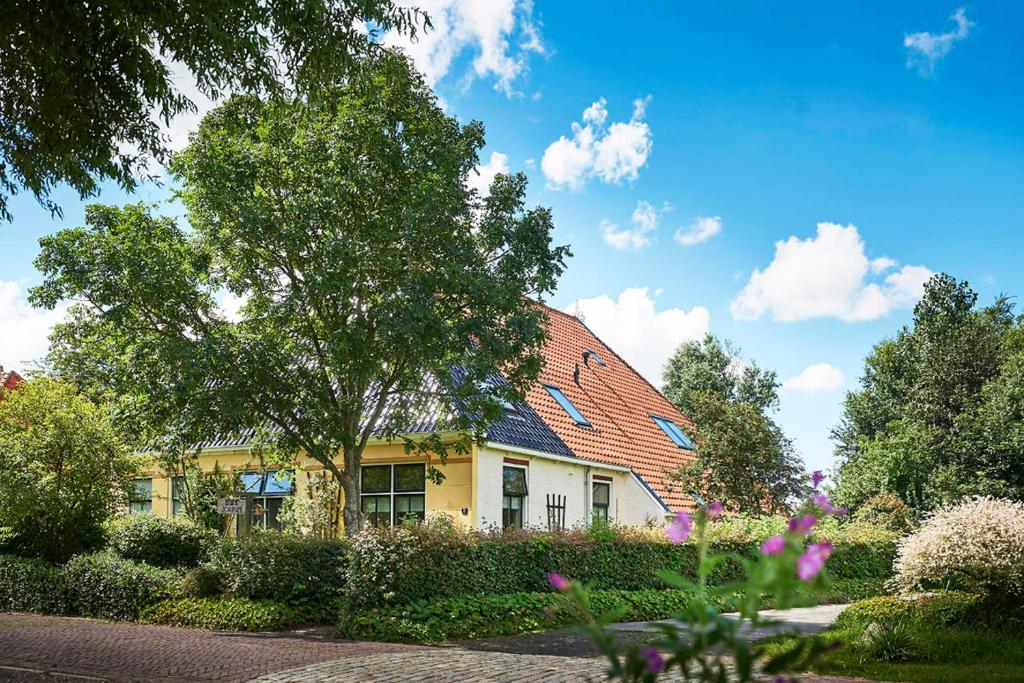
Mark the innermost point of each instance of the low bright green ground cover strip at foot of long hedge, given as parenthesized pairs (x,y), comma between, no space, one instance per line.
(490,616)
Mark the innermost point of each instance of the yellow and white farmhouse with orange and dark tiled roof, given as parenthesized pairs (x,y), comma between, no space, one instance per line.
(594,440)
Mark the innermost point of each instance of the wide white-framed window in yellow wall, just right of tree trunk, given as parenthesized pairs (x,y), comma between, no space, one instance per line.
(393,494)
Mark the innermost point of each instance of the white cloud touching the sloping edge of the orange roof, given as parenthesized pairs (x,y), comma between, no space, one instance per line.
(645,336)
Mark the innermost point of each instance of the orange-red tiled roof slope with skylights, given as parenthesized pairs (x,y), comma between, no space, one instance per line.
(617,401)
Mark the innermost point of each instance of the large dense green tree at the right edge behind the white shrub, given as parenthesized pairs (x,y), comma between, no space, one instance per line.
(937,415)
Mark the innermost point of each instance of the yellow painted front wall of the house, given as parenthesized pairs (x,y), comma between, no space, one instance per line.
(450,497)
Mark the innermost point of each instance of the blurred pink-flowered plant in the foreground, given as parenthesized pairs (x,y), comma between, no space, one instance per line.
(703,644)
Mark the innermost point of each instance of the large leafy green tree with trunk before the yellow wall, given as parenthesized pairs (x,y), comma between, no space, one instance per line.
(377,287)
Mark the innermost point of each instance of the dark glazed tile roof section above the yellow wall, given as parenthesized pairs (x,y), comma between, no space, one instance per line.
(521,428)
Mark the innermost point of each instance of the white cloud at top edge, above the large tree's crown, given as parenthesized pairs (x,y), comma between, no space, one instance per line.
(487,29)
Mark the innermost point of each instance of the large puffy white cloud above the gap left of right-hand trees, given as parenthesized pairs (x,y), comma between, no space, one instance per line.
(828,277)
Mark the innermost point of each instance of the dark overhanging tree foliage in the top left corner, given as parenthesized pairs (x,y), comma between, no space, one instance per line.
(84,84)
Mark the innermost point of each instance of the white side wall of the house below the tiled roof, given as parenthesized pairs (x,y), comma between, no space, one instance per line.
(630,502)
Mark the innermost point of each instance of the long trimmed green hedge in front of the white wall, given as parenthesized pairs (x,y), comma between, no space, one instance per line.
(402,566)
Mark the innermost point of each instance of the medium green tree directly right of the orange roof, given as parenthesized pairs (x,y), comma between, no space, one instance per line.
(744,459)
